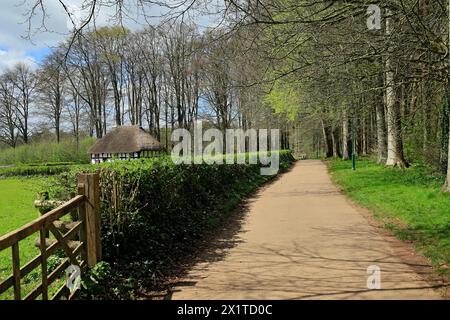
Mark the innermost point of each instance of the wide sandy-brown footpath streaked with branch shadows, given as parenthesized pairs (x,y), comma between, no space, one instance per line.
(301,238)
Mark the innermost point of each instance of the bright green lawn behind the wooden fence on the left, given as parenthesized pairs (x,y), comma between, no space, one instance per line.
(16,209)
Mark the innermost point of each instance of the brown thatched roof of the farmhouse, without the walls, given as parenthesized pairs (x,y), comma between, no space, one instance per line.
(125,139)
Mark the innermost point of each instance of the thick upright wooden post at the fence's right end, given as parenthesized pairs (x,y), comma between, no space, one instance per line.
(88,185)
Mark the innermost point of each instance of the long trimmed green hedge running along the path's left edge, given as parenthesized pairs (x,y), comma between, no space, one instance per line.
(161,206)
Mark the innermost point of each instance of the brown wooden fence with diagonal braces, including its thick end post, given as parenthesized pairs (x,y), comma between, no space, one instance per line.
(81,243)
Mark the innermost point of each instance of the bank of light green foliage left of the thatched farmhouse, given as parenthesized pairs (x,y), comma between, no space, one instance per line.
(47,152)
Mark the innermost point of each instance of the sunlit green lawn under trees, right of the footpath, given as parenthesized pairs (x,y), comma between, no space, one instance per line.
(408,201)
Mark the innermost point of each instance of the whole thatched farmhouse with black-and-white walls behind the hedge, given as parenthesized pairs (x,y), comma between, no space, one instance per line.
(124,143)
